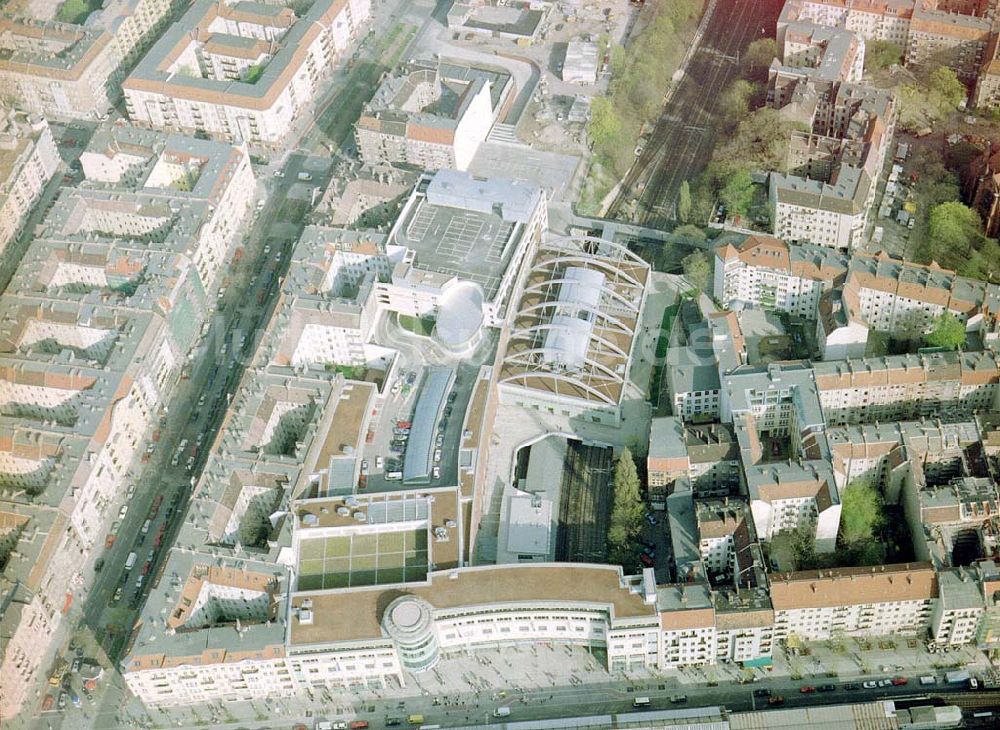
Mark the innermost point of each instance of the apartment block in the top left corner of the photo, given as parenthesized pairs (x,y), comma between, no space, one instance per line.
(70,70)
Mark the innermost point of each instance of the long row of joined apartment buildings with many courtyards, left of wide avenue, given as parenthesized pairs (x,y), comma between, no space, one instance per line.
(98,322)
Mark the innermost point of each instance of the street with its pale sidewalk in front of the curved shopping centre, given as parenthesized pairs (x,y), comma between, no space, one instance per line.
(540,682)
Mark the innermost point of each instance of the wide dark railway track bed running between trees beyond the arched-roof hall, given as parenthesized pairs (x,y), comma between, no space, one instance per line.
(682,140)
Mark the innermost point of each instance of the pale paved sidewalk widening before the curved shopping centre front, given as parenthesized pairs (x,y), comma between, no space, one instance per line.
(535,672)
